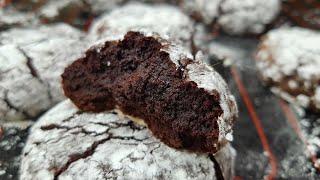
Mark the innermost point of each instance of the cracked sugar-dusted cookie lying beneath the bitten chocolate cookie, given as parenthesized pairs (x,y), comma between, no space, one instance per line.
(68,144)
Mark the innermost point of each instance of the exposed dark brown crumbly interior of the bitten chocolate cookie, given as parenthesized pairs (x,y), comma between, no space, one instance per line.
(135,76)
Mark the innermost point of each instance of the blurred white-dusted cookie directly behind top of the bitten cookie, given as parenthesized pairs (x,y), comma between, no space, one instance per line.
(168,21)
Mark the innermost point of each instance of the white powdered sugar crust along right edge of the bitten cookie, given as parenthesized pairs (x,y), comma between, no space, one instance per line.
(207,78)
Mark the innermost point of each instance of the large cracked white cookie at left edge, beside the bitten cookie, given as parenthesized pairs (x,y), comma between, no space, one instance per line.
(31,62)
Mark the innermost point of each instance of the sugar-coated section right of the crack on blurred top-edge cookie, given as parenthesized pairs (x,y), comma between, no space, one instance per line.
(247,16)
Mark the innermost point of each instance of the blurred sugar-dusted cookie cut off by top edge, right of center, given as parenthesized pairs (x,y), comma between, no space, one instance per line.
(233,16)
